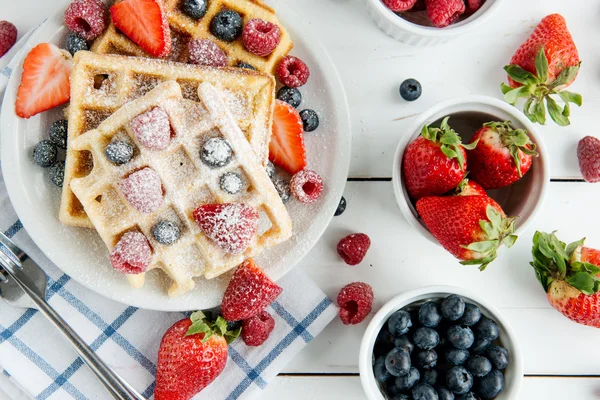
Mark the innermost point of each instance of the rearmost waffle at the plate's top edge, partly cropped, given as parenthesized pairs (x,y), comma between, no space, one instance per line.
(184,28)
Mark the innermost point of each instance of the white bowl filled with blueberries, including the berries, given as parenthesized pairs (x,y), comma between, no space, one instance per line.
(440,343)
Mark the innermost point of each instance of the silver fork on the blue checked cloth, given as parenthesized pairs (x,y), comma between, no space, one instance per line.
(23,284)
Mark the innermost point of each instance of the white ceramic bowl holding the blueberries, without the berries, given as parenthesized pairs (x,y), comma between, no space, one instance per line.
(513,374)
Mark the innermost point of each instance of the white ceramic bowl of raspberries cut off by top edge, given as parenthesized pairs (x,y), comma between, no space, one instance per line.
(417,34)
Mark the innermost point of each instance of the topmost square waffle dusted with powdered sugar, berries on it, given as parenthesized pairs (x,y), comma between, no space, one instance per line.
(187,183)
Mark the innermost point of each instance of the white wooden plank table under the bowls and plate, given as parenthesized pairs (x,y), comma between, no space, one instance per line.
(562,359)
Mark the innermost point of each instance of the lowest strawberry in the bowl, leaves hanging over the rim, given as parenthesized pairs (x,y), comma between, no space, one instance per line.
(472,228)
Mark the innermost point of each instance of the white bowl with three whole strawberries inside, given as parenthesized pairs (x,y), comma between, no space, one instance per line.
(471,174)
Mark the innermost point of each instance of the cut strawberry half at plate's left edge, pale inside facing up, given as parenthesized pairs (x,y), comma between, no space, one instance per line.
(45,80)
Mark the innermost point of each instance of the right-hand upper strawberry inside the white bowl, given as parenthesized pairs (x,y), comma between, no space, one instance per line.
(502,155)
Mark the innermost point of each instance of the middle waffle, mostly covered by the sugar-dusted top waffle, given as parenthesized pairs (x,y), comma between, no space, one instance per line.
(100,84)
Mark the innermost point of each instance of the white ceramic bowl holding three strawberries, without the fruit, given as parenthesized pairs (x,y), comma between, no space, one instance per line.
(523,198)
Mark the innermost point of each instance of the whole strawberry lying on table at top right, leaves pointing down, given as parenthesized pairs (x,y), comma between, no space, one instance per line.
(544,65)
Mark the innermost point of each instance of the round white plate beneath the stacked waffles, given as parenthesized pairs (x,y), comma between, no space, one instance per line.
(80,253)
